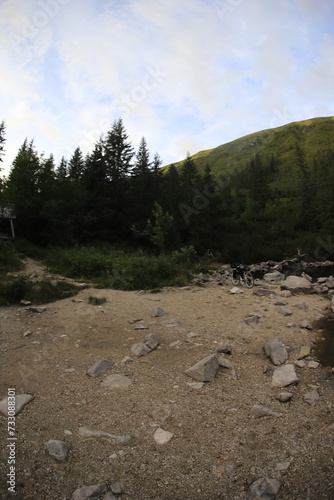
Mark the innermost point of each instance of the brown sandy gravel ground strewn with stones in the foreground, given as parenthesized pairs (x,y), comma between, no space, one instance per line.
(166,435)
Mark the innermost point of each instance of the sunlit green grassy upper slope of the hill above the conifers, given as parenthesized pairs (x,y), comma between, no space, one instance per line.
(313,136)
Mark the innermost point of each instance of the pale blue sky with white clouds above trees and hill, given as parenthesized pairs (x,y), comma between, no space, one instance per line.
(187,75)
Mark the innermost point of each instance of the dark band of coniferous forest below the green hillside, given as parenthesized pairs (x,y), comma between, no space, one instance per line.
(254,209)
